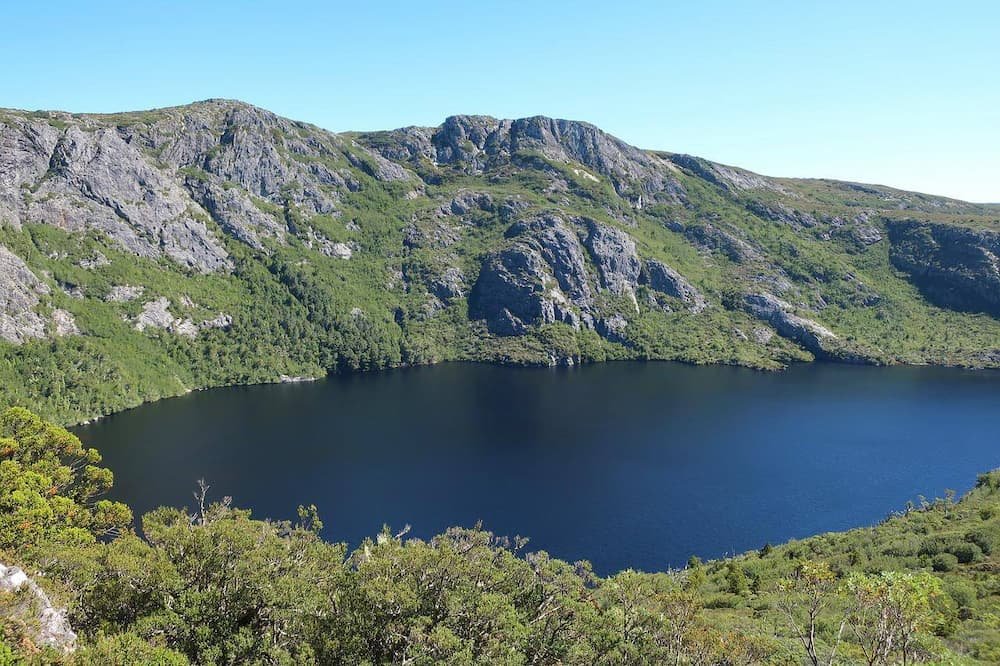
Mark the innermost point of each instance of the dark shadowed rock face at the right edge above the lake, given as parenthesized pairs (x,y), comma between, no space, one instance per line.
(956,267)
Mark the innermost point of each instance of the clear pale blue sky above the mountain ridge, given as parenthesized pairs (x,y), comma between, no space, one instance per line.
(900,93)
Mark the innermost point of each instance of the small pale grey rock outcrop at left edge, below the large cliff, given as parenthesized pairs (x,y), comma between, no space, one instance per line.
(20,293)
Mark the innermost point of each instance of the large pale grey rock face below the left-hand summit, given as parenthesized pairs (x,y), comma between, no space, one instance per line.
(124,180)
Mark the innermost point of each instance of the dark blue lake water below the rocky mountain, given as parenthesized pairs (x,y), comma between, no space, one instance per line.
(625,464)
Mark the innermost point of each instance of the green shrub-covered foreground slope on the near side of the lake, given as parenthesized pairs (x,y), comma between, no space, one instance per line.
(215,586)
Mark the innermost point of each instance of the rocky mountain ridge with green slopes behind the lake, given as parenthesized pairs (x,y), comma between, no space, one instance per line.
(147,254)
